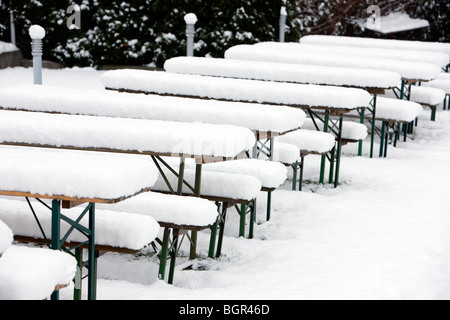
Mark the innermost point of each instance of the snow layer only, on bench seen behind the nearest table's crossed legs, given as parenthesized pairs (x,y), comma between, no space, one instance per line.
(115,229)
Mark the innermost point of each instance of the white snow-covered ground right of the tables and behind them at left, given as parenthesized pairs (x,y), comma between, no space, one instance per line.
(382,234)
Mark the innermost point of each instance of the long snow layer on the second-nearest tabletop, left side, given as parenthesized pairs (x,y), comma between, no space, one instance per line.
(168,137)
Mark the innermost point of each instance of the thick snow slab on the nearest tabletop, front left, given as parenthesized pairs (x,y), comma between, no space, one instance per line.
(74,174)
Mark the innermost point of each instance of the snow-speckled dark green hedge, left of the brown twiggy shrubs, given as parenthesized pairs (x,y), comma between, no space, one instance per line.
(146,31)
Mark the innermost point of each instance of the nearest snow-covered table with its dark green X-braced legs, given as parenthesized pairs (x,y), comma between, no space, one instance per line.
(70,178)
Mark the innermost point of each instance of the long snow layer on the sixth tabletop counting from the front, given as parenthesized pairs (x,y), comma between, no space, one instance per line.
(407,70)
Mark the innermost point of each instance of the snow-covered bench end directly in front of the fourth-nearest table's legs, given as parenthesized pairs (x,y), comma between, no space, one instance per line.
(308,142)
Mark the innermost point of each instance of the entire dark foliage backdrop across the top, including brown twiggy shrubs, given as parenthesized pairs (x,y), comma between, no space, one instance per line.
(147,32)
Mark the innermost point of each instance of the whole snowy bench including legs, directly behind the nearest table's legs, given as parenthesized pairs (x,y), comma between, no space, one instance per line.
(115,232)
